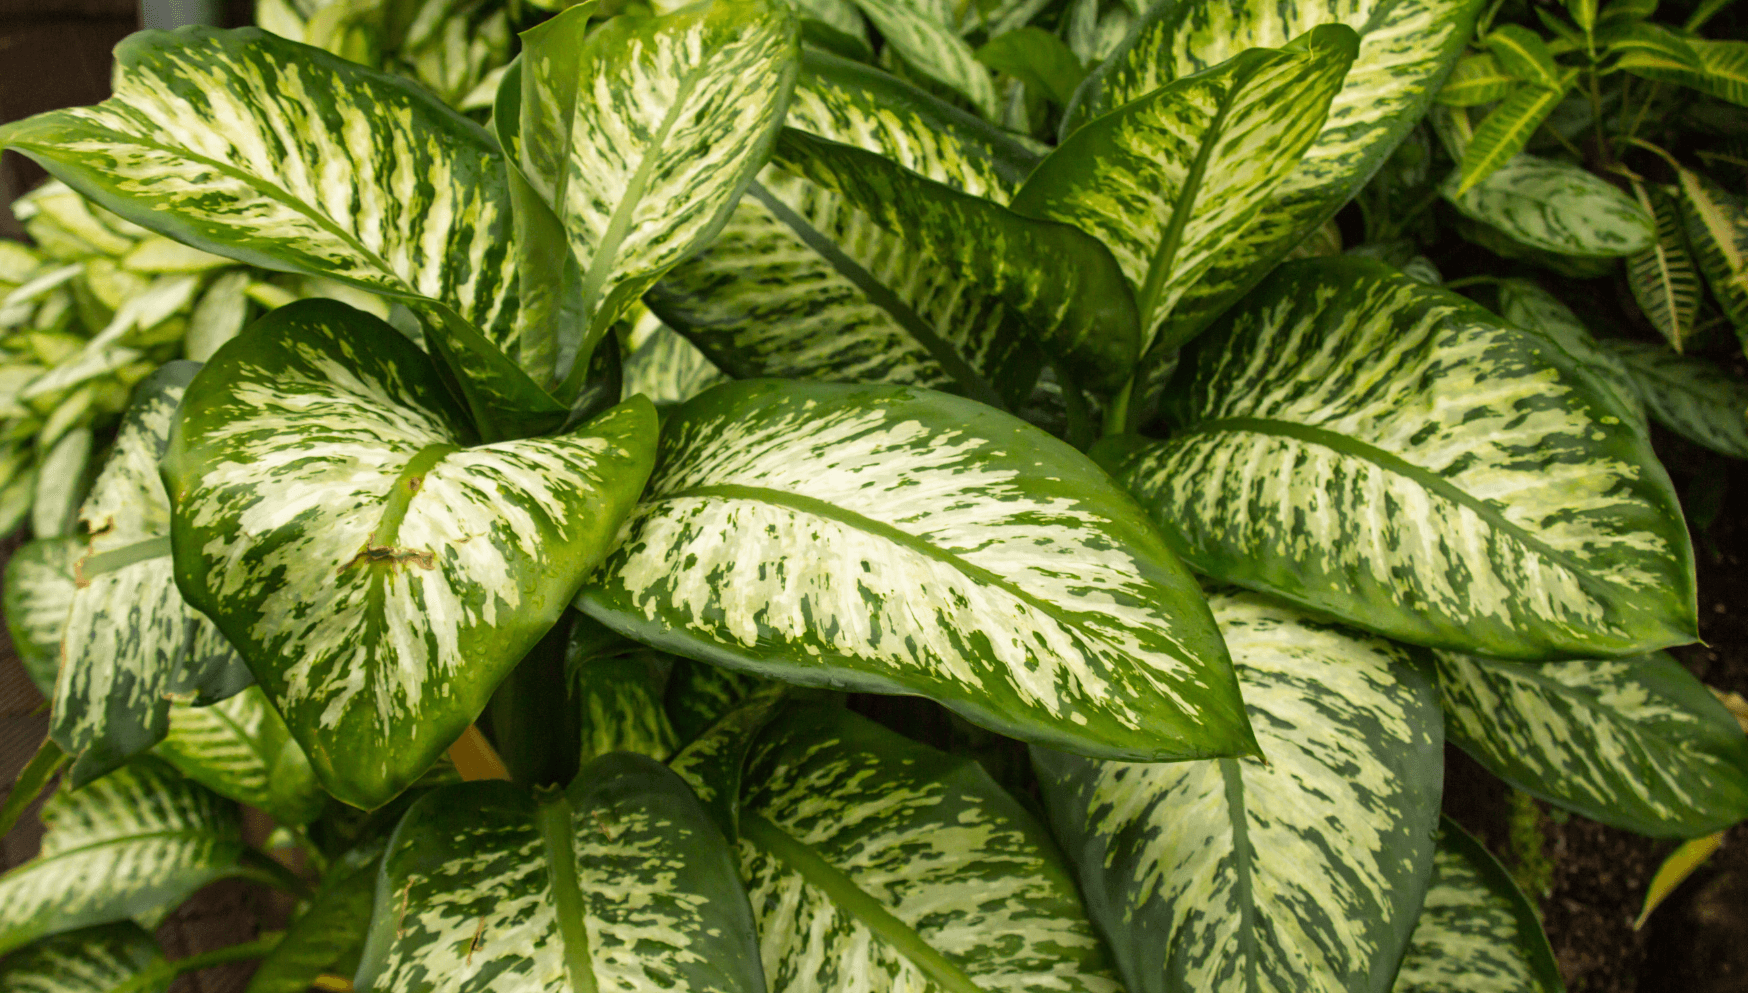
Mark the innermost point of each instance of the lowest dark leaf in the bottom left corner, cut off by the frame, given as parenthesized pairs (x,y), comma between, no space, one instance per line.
(106,959)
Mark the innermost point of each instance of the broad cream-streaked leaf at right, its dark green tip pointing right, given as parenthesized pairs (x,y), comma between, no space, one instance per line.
(1389,454)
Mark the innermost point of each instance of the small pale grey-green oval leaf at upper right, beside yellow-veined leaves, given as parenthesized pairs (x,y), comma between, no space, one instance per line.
(1557,207)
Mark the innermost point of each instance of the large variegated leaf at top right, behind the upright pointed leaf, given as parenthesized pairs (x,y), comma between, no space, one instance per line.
(1406,50)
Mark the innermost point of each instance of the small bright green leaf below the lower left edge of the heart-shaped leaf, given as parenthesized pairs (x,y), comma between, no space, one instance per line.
(242,751)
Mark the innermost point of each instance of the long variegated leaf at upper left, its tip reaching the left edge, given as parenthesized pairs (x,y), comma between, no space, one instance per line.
(289,158)
